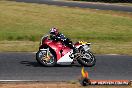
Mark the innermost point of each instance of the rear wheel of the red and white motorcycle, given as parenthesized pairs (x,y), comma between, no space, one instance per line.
(87,59)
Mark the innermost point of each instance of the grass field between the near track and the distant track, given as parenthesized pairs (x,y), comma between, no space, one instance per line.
(23,24)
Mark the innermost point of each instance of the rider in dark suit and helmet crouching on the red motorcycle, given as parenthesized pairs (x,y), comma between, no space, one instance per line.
(57,36)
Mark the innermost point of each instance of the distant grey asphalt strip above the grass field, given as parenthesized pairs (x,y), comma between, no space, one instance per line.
(81,5)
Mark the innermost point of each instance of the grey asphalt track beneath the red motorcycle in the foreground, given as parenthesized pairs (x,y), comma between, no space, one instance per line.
(23,66)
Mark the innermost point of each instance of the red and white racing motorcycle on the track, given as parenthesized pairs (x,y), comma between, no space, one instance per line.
(53,52)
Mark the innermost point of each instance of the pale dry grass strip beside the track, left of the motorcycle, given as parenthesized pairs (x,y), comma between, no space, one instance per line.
(18,46)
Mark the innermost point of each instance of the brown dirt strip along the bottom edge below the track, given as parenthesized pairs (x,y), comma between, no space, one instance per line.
(56,85)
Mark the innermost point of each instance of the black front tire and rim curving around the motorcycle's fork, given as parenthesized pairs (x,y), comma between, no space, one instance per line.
(40,58)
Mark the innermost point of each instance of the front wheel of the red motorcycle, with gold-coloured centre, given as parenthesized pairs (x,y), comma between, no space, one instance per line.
(42,59)
